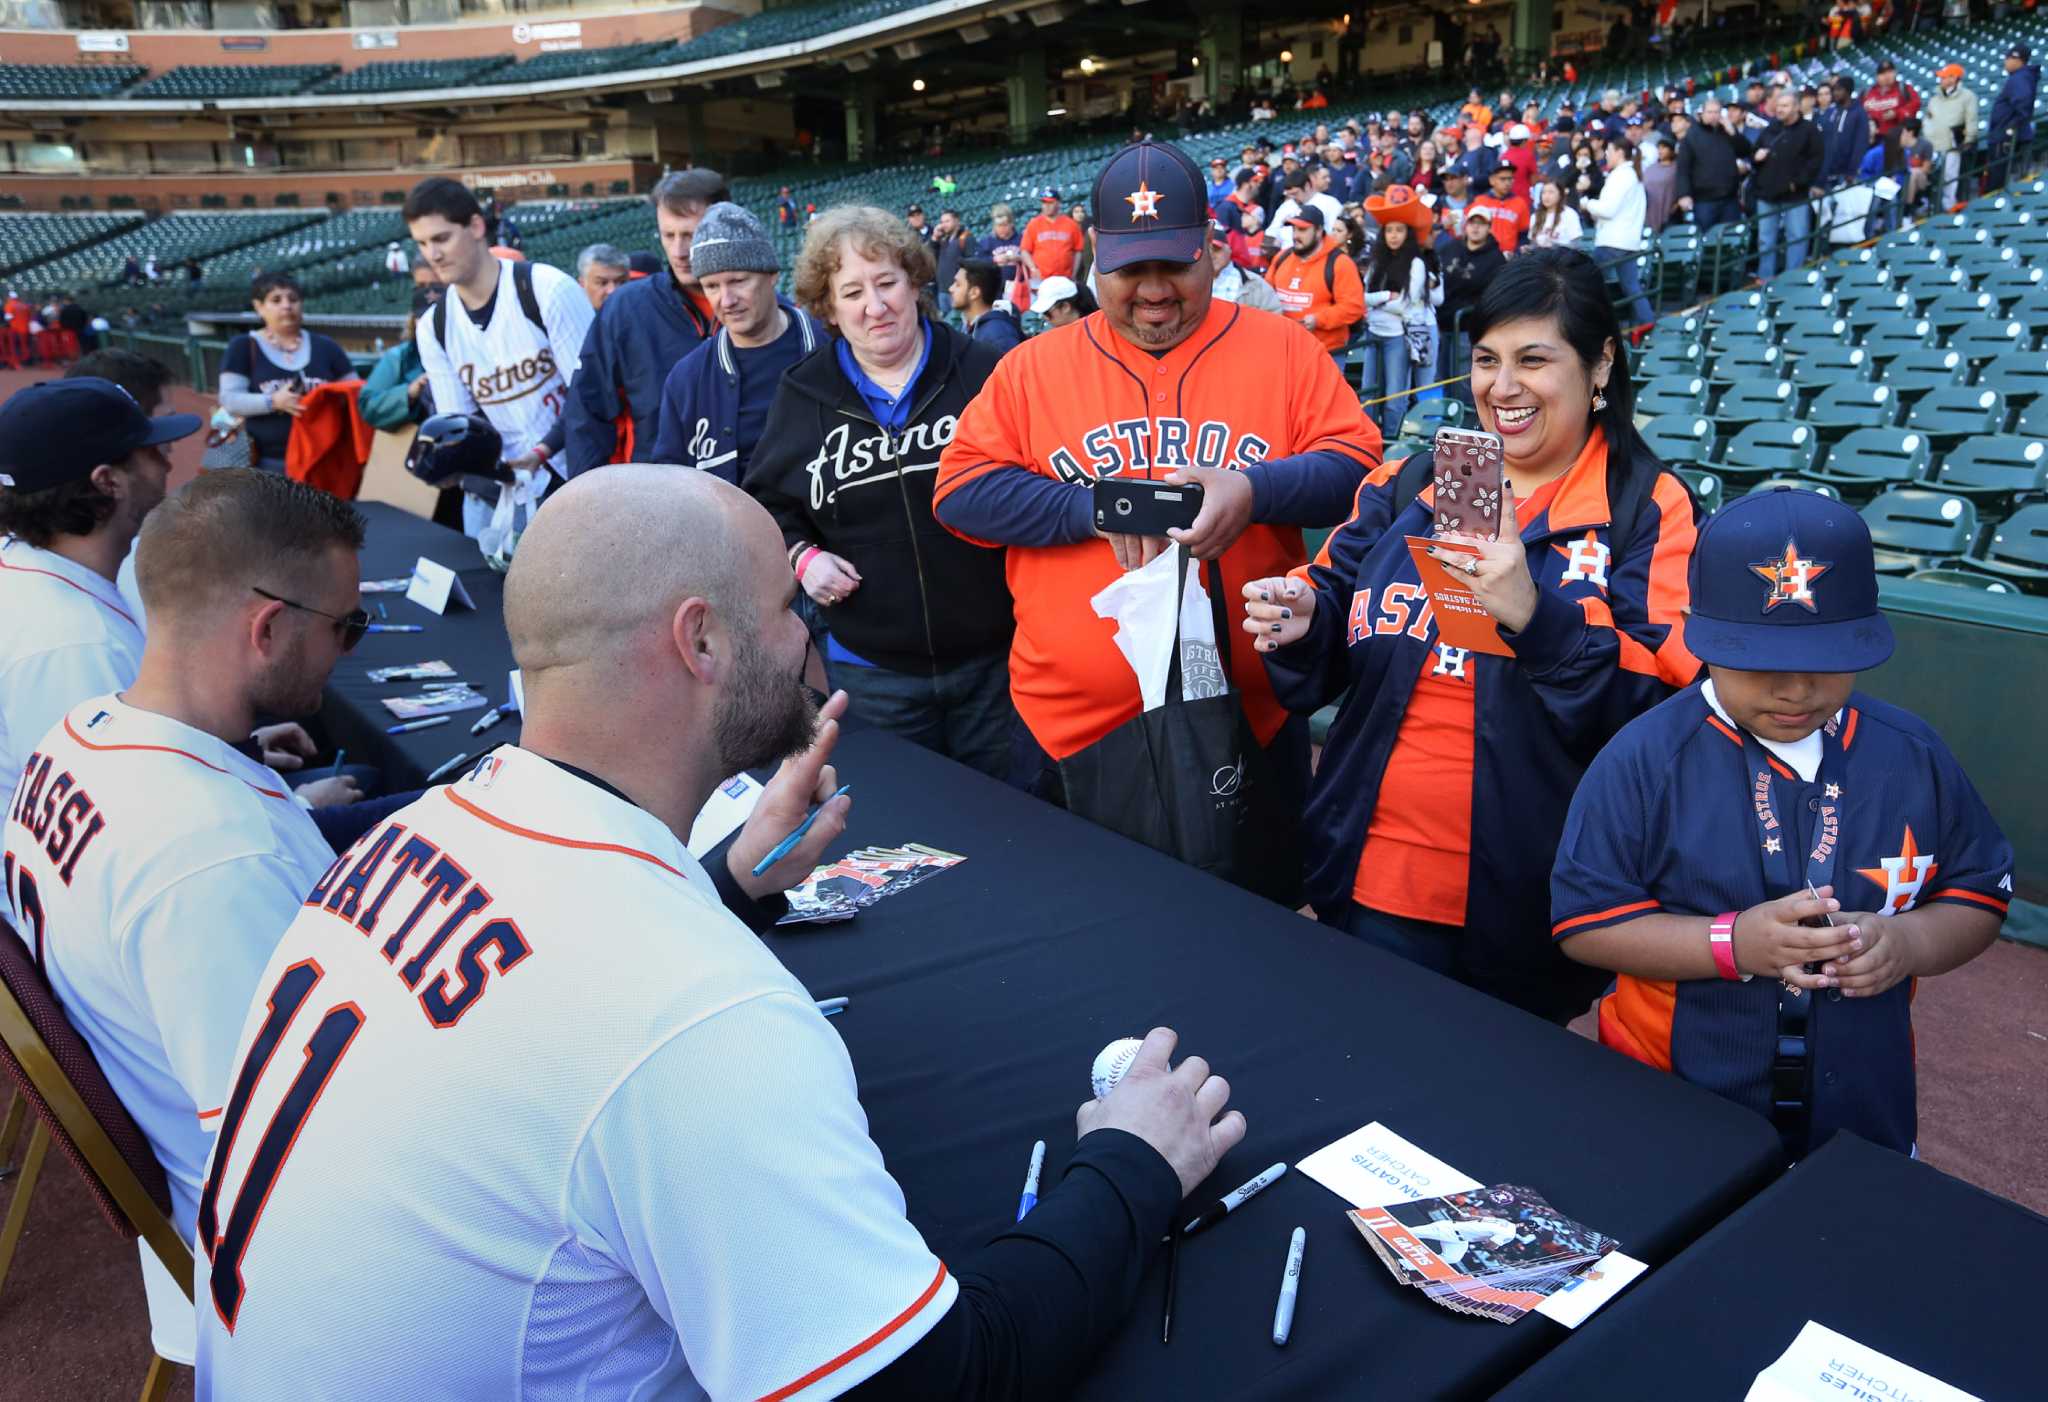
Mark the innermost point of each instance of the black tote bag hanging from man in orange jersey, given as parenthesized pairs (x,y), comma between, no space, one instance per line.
(1193,781)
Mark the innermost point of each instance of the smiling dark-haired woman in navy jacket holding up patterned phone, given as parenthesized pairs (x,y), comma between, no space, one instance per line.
(1443,791)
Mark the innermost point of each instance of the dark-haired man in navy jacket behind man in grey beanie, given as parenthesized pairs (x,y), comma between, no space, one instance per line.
(640,335)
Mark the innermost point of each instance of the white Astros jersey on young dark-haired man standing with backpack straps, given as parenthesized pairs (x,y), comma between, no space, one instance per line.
(509,369)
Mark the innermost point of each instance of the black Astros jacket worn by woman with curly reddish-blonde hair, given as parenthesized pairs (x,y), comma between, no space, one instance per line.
(835,478)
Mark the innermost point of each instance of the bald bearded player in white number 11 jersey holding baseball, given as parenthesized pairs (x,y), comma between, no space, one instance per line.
(534,1114)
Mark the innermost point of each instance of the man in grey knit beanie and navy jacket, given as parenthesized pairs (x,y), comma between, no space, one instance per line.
(716,400)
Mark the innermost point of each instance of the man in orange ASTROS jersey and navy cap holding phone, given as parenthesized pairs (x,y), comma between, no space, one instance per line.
(1160,384)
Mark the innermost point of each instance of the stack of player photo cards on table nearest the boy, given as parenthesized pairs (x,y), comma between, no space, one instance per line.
(1494,1252)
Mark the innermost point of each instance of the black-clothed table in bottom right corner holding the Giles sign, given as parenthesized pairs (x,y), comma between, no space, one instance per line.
(1869,1243)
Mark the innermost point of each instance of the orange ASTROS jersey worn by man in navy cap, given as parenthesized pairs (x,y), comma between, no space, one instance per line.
(1084,404)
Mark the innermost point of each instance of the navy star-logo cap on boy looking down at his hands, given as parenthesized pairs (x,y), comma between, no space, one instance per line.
(1785,582)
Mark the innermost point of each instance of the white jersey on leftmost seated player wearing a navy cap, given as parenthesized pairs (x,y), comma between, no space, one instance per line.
(69,636)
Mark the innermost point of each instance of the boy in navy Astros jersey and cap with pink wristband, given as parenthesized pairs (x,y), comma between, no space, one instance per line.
(1770,859)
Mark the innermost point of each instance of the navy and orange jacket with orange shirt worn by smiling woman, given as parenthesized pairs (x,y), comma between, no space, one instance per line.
(1607,644)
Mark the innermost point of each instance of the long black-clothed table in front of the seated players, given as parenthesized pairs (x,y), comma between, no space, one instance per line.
(982,998)
